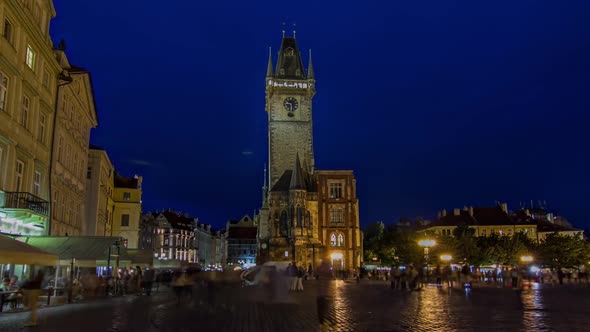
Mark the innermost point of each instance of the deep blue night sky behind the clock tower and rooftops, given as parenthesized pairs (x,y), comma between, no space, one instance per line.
(434,104)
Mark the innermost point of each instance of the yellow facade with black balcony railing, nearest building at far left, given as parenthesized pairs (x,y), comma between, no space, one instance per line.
(29,74)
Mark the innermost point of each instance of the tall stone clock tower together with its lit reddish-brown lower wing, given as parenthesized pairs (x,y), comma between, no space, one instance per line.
(308,216)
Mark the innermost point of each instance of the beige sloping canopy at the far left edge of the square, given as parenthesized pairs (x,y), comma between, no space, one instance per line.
(16,252)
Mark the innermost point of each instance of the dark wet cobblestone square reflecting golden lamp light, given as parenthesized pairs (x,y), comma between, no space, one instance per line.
(370,306)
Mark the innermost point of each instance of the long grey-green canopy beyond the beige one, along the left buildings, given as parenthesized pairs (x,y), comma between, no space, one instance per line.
(88,251)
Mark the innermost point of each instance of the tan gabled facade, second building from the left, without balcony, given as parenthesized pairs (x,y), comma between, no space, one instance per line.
(75,117)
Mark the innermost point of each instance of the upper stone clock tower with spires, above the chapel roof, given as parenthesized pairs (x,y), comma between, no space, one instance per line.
(289,93)
